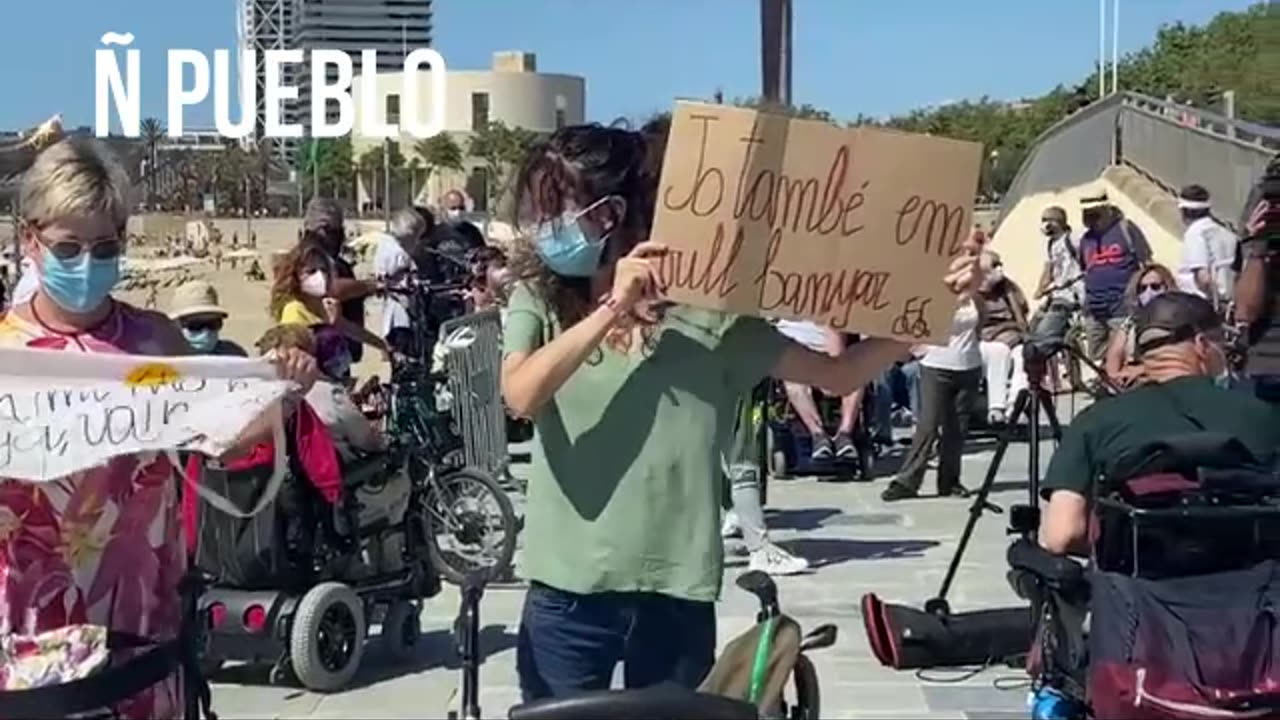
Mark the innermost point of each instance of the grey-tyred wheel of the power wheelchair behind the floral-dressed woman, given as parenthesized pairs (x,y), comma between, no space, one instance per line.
(327,640)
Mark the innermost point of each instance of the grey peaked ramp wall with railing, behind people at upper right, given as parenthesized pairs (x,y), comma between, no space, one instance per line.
(1174,145)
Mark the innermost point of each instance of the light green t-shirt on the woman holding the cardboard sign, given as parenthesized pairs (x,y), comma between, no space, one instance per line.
(625,479)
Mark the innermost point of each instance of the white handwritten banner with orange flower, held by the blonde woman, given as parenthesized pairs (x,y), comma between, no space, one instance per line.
(62,413)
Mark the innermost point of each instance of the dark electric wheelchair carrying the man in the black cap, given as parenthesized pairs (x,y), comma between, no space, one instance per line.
(1182,590)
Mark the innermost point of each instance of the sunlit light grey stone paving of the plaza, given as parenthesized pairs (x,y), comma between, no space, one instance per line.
(856,543)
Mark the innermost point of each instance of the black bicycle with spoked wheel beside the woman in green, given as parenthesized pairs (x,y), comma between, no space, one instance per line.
(472,523)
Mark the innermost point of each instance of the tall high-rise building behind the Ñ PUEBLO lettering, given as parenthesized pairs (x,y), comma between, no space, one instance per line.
(391,28)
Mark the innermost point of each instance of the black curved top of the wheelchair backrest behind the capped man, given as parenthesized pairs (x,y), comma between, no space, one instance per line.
(1188,454)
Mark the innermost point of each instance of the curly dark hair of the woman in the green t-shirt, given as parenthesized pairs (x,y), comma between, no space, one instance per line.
(583,165)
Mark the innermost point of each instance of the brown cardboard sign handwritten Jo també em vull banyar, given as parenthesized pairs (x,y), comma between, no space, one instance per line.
(776,217)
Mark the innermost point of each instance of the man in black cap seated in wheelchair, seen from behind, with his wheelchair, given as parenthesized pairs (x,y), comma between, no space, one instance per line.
(1171,491)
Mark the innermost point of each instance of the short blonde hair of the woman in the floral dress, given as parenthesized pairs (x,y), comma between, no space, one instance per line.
(76,177)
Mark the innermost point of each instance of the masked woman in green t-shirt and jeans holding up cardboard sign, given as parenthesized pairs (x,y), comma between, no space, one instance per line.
(632,408)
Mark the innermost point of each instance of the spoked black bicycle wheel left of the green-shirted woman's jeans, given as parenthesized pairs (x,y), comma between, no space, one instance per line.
(472,526)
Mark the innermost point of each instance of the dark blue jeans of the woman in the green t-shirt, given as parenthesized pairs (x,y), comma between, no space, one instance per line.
(569,644)
